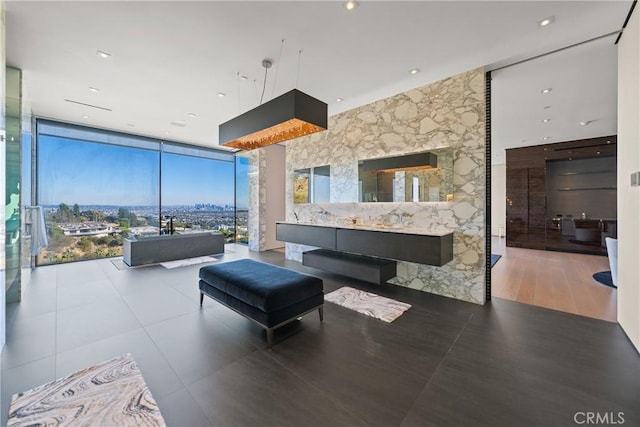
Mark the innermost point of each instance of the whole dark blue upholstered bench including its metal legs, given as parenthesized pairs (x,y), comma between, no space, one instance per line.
(269,295)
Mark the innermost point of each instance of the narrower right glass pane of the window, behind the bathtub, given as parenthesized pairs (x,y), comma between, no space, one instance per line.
(197,195)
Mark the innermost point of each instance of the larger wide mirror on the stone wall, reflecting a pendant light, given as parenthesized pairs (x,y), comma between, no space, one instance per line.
(417,177)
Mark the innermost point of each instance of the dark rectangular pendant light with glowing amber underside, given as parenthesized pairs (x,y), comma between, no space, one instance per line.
(288,116)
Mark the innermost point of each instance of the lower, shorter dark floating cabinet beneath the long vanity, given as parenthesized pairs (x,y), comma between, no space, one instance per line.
(366,268)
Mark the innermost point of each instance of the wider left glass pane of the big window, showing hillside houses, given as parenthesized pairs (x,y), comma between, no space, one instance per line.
(93,195)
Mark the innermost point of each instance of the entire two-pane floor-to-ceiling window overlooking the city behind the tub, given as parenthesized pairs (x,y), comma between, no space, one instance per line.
(97,188)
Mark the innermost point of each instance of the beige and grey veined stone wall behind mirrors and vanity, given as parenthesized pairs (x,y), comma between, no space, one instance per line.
(447,113)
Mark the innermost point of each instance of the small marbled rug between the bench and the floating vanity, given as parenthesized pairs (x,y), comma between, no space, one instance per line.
(385,309)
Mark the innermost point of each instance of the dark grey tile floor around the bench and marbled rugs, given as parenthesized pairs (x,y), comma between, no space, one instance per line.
(442,363)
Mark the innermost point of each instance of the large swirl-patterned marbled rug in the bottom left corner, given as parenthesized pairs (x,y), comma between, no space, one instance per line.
(111,393)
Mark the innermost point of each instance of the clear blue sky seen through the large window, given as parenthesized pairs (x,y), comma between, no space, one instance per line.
(85,173)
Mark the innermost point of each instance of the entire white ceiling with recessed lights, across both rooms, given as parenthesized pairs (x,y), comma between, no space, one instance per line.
(172,58)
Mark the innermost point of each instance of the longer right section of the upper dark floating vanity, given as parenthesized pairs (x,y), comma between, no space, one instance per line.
(419,248)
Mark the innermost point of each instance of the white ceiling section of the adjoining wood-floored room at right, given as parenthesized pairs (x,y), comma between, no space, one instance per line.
(583,83)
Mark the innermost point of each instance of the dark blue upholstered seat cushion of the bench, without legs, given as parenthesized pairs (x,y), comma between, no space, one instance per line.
(257,284)
